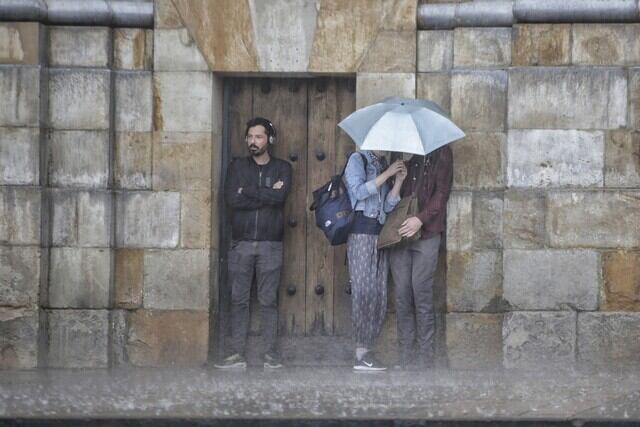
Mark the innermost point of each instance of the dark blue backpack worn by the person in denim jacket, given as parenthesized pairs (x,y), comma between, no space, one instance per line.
(332,207)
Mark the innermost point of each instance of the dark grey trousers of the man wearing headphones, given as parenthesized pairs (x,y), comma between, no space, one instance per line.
(265,258)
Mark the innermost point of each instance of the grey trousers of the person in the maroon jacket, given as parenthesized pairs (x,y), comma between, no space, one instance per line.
(412,269)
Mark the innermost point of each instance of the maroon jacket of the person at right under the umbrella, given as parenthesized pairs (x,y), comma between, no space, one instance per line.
(432,198)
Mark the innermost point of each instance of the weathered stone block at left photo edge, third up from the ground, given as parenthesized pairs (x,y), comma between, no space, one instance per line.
(20,216)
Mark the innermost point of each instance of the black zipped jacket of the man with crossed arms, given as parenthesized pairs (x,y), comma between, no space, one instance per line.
(258,210)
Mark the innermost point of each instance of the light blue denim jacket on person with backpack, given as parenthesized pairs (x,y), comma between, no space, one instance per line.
(374,202)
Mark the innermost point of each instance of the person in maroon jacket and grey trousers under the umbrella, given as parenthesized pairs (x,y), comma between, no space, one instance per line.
(413,264)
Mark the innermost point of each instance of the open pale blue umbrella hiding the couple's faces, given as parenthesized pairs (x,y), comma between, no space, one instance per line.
(404,125)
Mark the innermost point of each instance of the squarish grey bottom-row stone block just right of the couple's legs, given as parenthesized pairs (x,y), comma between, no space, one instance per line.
(474,341)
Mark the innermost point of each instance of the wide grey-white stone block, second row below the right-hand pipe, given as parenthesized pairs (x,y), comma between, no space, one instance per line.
(553,98)
